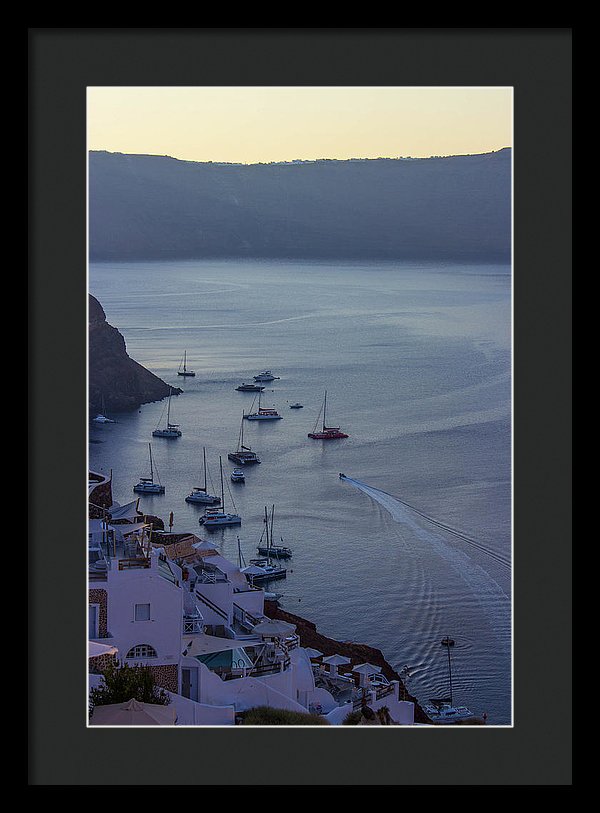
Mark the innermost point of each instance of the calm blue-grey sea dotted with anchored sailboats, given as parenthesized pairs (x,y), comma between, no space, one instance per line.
(416,360)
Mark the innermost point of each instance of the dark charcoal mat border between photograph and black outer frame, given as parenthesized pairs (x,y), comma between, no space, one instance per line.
(537,63)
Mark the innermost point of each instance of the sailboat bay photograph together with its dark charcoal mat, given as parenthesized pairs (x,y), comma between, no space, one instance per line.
(340,269)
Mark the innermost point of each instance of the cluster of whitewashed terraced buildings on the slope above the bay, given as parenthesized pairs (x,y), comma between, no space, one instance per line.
(193,617)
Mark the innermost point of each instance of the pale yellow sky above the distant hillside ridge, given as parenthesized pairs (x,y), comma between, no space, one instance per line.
(261,124)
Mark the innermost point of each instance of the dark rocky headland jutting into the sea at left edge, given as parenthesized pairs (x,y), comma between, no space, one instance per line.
(117,383)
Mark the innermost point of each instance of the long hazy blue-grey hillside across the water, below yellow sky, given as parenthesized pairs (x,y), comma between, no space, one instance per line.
(155,207)
